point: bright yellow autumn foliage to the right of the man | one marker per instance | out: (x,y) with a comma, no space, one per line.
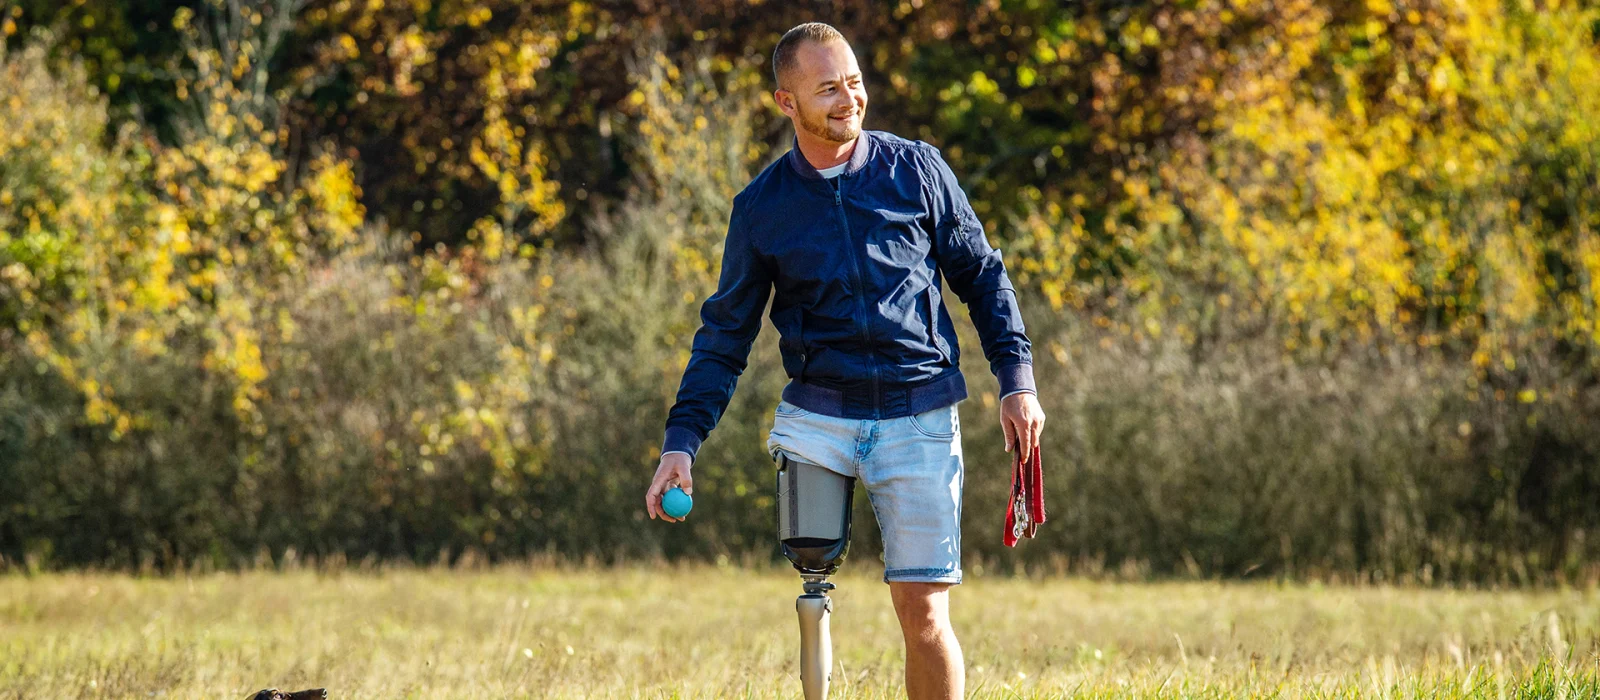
(1426,212)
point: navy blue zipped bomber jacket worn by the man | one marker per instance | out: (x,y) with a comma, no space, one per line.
(855,261)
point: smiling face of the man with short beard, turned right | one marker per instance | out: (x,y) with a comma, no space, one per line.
(825,95)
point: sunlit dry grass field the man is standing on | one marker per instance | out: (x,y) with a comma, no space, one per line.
(730,632)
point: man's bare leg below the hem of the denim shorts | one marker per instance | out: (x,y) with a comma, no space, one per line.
(934,659)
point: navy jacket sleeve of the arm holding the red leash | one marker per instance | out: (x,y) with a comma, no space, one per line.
(977,274)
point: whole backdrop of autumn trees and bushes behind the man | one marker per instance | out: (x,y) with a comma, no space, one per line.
(1314,287)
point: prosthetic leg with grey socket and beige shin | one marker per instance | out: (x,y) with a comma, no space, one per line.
(814,528)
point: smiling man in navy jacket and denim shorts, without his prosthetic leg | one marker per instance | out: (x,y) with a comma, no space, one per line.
(852,229)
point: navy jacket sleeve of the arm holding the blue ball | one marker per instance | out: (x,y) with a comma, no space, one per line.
(730,319)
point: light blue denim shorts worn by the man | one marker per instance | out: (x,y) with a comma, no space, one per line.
(913,472)
